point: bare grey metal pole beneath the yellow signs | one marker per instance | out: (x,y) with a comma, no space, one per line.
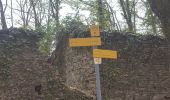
(98,87)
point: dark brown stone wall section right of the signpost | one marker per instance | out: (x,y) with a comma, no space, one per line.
(143,71)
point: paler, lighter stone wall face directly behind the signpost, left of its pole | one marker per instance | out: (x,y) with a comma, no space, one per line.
(80,70)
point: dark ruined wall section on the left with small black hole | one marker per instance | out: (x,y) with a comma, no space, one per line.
(23,67)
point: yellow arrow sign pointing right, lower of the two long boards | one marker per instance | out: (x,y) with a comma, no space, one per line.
(100,53)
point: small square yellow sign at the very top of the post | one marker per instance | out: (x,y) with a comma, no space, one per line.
(94,30)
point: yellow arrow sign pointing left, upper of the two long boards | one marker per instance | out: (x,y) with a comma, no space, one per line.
(76,42)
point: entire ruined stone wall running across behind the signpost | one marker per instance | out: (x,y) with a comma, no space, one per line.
(141,72)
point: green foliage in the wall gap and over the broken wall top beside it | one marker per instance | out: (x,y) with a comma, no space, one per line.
(51,34)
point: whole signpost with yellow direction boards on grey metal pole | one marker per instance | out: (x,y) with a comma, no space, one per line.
(98,54)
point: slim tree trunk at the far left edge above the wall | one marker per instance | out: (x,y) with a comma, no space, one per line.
(3,20)
